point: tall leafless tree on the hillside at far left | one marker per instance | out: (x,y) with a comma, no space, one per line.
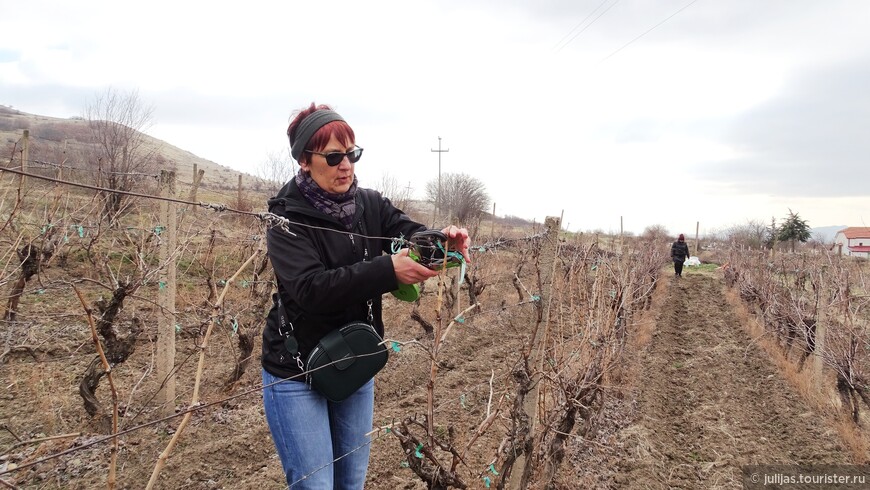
(116,121)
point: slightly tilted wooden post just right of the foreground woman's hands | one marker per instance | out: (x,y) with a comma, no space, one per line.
(522,471)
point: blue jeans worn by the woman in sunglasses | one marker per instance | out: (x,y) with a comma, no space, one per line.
(322,444)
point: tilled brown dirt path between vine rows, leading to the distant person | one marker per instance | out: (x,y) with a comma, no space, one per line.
(710,401)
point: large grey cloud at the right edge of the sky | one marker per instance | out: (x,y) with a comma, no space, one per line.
(811,141)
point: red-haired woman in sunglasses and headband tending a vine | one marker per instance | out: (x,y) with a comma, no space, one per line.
(330,271)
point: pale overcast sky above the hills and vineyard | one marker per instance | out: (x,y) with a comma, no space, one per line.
(665,112)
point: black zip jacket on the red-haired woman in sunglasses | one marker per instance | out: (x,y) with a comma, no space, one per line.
(323,278)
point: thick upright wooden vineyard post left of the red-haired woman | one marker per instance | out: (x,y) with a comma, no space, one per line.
(166,296)
